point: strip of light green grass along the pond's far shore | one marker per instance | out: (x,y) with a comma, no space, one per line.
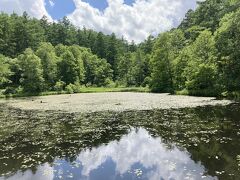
(82,90)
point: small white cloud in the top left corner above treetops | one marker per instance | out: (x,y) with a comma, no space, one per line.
(35,8)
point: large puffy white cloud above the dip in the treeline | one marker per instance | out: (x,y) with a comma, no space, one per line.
(134,22)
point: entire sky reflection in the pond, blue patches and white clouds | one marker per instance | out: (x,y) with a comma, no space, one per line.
(136,155)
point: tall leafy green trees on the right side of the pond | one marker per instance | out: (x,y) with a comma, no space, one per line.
(201,57)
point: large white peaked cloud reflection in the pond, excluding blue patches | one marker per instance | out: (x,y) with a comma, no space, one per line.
(140,154)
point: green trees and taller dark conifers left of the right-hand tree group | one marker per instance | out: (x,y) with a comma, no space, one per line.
(41,56)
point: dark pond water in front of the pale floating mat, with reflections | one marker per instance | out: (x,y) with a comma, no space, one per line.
(193,143)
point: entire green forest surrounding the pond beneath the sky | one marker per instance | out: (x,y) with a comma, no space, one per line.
(199,57)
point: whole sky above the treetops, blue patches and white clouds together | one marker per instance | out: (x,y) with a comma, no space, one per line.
(133,22)
